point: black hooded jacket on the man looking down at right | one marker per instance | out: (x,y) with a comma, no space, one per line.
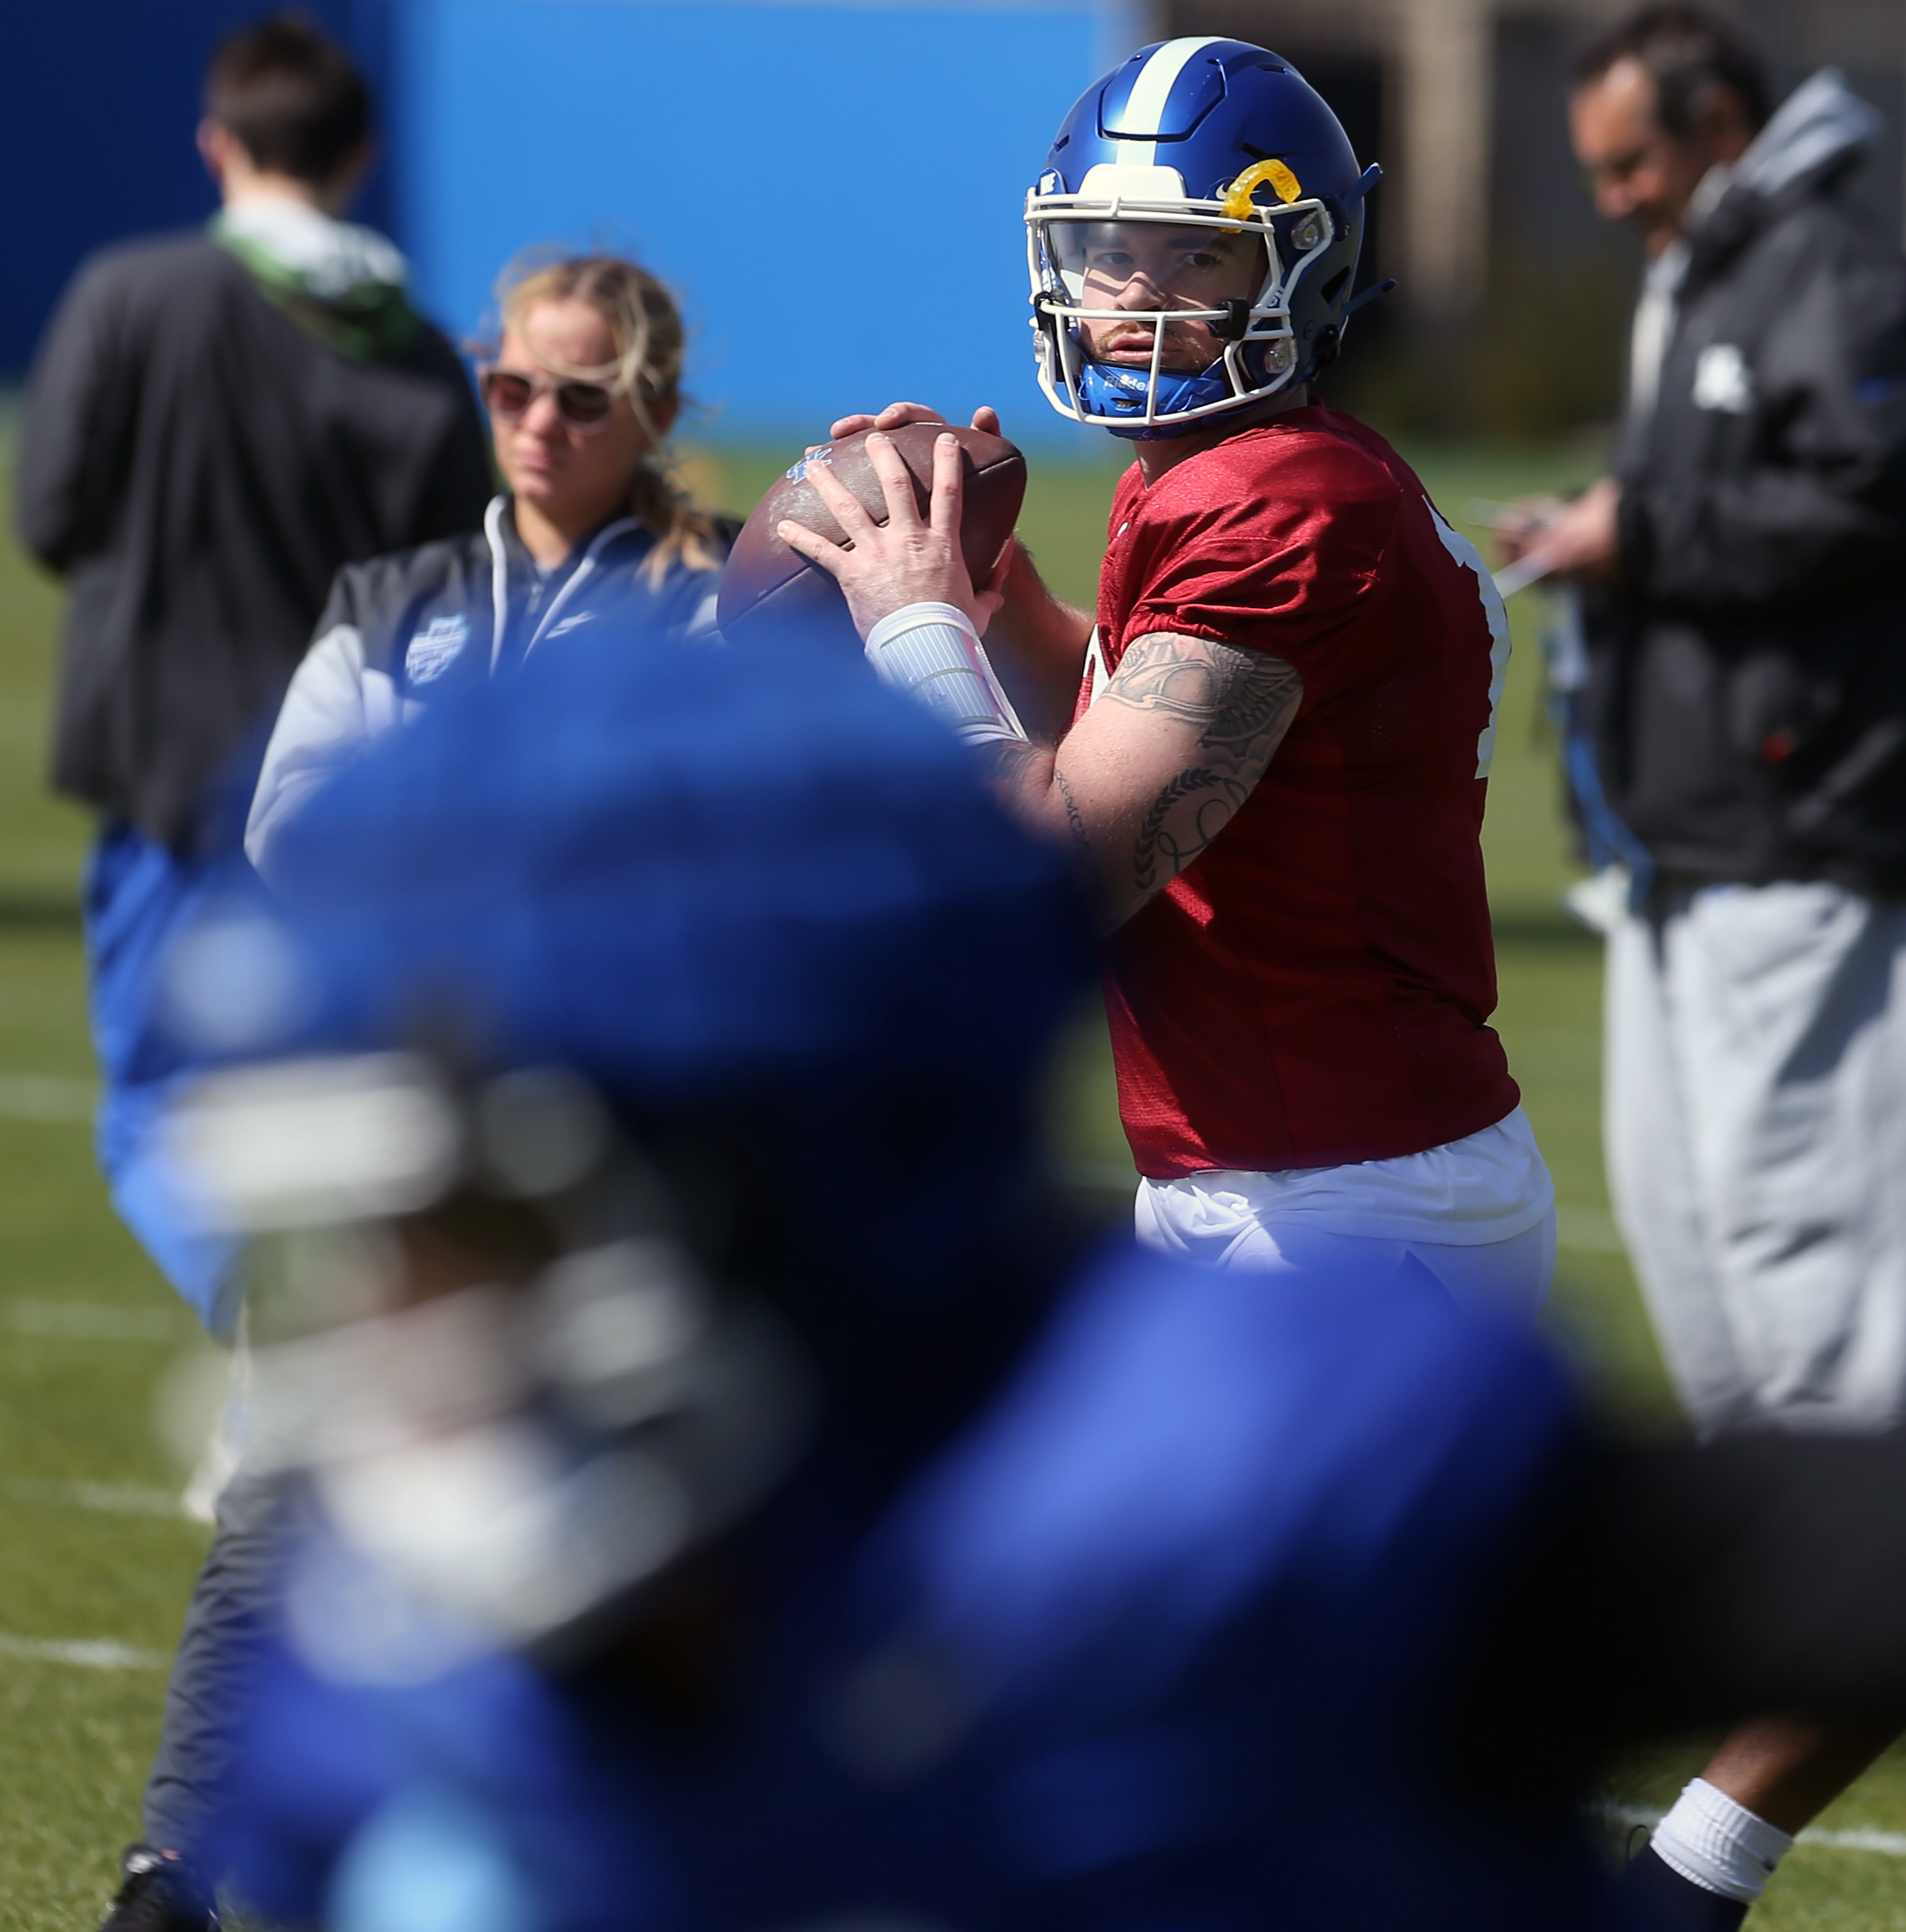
(1748,673)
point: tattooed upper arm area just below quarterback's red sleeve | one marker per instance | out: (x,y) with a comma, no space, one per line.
(1242,704)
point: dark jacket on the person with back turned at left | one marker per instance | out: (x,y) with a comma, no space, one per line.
(198,465)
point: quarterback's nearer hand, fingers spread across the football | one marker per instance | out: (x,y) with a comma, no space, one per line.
(906,561)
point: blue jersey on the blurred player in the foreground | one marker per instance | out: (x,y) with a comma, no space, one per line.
(1155,1643)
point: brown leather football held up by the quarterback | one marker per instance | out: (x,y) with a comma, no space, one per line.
(768,586)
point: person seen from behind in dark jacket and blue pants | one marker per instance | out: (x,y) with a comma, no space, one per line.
(216,424)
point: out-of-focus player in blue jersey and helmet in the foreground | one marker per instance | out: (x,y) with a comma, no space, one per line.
(708,1510)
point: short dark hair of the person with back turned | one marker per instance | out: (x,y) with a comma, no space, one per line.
(291,98)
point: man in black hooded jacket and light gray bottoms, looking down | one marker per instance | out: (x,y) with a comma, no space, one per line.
(1741,743)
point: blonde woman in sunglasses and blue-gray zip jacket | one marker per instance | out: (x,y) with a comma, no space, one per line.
(583,391)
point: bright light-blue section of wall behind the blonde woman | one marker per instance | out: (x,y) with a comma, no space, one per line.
(834,190)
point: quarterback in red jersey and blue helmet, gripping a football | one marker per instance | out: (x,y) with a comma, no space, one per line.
(1271,754)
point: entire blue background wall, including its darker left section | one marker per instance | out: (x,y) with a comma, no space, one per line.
(832,185)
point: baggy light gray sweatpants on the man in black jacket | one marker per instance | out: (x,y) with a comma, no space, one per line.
(1756,1141)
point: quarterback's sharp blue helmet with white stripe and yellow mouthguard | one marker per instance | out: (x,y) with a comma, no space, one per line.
(1205,183)
